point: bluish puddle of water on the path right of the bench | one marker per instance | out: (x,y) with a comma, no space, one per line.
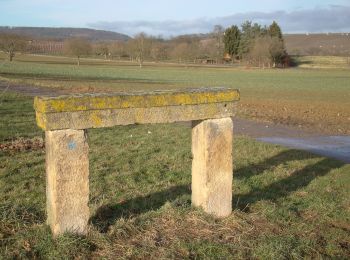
(337,147)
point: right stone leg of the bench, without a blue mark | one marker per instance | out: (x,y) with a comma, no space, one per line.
(212,165)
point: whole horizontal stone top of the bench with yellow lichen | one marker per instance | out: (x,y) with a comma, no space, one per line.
(94,111)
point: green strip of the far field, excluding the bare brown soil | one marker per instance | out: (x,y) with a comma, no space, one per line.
(308,85)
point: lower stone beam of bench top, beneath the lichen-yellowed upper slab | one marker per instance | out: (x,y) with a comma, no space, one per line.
(112,117)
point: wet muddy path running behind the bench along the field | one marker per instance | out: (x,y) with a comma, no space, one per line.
(337,147)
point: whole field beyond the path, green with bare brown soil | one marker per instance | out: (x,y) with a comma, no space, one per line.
(312,98)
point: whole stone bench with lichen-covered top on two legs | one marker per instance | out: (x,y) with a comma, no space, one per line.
(66,118)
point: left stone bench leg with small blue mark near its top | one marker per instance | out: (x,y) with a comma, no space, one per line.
(67,189)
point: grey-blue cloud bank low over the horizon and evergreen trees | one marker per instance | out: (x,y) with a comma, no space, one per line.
(334,18)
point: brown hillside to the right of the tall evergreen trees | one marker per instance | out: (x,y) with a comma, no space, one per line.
(318,44)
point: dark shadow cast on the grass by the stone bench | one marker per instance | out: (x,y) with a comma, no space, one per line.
(108,214)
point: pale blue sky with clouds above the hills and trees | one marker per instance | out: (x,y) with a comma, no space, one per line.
(174,17)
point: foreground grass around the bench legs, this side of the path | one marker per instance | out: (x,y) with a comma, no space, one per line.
(287,203)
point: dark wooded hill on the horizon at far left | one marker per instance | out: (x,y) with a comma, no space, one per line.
(60,34)
